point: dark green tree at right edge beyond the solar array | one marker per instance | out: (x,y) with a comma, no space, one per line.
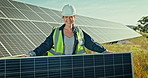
(142,25)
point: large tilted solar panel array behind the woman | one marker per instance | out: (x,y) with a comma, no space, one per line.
(23,27)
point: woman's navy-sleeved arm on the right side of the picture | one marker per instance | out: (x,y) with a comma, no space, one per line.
(91,45)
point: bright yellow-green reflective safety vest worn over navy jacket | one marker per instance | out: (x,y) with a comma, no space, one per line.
(58,44)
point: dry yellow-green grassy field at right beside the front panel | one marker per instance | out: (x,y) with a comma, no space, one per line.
(139,49)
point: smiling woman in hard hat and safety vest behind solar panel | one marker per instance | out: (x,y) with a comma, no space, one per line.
(67,39)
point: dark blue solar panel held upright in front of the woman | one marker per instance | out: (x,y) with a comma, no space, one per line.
(114,65)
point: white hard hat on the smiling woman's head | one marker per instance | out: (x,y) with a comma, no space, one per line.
(68,10)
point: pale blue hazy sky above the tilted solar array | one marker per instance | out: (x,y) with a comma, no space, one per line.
(126,12)
